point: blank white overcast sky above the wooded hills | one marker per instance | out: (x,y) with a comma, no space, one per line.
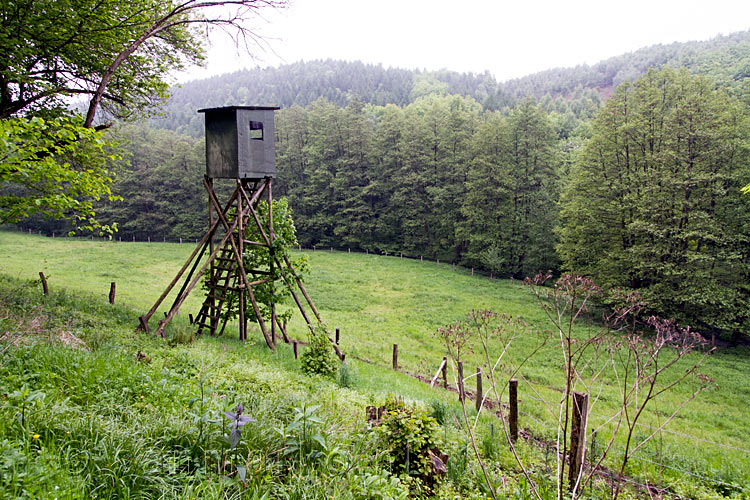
(509,39)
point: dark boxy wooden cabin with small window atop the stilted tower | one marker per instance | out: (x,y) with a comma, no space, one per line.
(240,142)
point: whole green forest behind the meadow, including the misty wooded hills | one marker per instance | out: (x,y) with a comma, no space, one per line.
(627,174)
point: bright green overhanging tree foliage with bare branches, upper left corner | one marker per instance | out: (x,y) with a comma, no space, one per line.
(115,56)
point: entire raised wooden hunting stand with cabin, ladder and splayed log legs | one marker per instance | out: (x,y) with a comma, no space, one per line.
(240,145)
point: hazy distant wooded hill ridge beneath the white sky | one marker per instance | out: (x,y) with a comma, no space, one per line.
(726,59)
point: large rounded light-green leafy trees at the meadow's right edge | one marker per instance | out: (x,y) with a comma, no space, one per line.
(653,203)
